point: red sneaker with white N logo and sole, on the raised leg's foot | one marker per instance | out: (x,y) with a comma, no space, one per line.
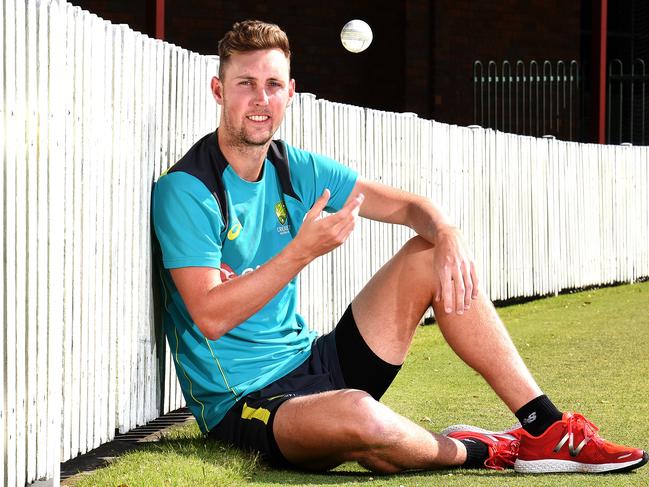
(573,445)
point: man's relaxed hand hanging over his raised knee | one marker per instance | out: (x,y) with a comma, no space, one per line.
(455,271)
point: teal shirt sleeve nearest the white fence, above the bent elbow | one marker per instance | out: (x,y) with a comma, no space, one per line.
(187,222)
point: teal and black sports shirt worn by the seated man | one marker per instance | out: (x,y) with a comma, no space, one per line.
(261,220)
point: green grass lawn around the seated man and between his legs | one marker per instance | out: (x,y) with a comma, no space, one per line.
(588,350)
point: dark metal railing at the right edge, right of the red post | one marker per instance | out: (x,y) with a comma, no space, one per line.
(626,114)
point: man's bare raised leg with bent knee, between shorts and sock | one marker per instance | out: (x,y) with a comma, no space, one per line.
(389,308)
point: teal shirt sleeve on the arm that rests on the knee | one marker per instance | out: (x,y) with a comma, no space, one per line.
(313,173)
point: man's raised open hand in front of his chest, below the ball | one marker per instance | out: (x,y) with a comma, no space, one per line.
(319,235)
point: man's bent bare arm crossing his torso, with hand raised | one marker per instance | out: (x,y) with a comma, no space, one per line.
(216,307)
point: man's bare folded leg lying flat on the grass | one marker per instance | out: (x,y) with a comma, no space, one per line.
(321,431)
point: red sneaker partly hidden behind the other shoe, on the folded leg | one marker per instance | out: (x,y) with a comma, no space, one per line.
(502,445)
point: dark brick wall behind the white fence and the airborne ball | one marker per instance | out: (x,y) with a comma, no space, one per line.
(421,59)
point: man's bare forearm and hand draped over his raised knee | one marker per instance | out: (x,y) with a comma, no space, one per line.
(454,268)
